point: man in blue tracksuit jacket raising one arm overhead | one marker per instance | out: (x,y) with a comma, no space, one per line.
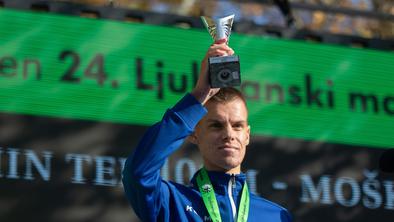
(216,121)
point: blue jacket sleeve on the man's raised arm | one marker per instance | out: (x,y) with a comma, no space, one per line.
(143,185)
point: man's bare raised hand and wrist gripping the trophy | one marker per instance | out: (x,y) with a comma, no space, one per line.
(203,91)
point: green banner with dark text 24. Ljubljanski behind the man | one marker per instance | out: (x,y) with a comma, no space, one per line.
(69,67)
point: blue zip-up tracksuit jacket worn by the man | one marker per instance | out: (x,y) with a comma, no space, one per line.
(155,199)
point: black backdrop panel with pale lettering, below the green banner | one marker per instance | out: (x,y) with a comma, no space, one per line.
(274,159)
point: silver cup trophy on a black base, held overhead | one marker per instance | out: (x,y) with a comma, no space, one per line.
(223,70)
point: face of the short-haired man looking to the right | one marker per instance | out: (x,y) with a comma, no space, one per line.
(222,136)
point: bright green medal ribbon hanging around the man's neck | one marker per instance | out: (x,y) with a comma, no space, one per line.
(209,198)
